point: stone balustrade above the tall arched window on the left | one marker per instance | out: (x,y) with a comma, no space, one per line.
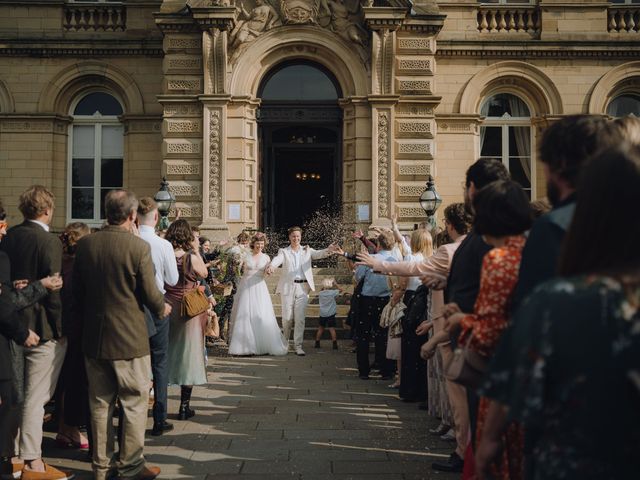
(78,16)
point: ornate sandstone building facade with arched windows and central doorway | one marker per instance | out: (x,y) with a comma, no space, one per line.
(257,111)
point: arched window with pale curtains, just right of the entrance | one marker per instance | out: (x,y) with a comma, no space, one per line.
(506,136)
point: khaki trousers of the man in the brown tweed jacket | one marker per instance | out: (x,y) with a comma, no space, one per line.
(127,380)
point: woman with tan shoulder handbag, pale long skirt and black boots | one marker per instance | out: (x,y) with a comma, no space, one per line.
(187,366)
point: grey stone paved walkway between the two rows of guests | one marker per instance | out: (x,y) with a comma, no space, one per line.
(290,418)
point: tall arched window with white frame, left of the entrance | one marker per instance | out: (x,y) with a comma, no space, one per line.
(96,147)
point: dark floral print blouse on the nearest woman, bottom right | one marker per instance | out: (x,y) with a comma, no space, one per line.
(575,378)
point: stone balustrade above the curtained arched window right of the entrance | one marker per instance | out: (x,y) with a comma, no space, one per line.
(508,18)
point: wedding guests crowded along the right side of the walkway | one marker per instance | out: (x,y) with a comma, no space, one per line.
(524,383)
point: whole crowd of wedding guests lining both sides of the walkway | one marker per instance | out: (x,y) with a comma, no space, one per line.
(519,332)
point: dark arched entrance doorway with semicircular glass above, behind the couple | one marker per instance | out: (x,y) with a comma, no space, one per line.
(300,127)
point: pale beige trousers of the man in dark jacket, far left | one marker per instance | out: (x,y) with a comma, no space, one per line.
(42,365)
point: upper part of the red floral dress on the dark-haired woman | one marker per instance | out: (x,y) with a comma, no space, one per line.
(498,279)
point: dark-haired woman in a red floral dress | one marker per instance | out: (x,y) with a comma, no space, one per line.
(502,215)
